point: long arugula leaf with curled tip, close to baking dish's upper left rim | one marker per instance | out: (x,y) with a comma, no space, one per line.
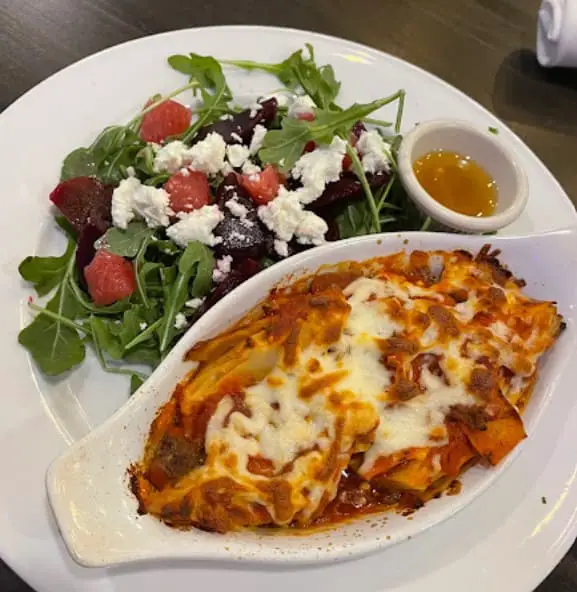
(195,257)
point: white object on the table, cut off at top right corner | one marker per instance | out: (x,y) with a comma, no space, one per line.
(557,33)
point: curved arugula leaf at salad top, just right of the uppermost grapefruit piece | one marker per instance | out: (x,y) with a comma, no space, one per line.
(214,90)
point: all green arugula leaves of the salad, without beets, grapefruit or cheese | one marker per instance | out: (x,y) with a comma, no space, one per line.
(133,335)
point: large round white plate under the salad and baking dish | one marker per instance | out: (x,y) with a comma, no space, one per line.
(507,537)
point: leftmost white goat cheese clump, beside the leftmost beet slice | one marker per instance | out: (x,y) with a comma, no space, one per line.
(131,198)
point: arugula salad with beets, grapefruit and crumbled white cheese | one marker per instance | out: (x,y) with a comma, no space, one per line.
(170,212)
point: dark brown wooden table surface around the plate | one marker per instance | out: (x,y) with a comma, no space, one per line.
(483,47)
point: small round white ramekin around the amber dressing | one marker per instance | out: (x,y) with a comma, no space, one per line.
(486,150)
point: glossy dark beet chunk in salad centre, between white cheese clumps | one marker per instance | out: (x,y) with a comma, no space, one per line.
(241,238)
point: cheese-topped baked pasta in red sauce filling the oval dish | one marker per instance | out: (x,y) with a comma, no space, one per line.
(364,387)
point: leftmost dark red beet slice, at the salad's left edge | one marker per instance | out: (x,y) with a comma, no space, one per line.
(83,201)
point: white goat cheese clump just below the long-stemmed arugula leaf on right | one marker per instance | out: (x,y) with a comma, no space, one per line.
(319,167)
